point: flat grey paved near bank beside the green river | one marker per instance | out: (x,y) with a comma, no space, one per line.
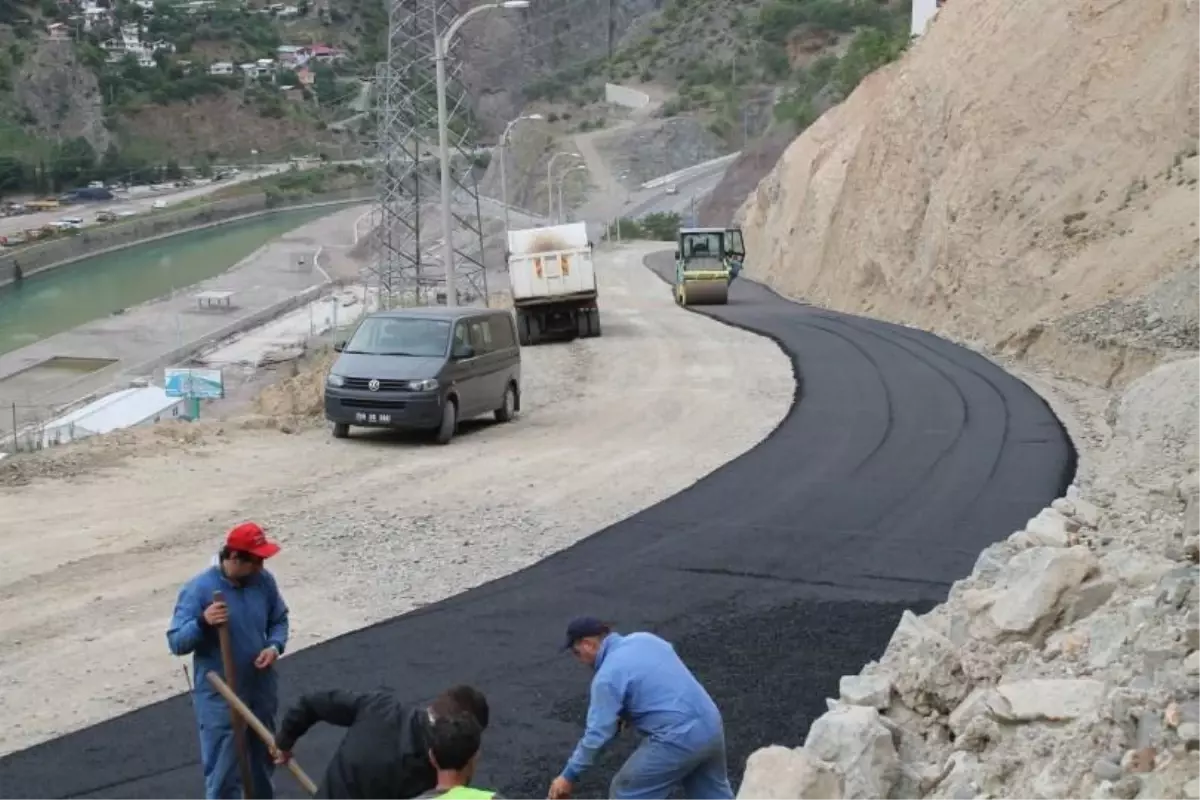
(38,383)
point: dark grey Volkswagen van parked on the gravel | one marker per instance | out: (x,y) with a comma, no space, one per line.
(425,369)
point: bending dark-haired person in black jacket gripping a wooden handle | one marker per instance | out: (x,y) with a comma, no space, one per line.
(385,755)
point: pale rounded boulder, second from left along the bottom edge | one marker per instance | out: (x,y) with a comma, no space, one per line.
(860,745)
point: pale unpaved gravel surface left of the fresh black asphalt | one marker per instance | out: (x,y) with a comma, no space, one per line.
(376,526)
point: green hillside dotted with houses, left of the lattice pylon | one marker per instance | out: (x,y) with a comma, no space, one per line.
(115,89)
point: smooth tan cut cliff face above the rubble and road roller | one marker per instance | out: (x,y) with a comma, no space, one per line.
(1024,178)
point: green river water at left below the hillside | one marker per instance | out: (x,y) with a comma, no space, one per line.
(69,297)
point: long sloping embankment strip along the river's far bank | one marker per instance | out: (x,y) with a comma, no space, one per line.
(107,239)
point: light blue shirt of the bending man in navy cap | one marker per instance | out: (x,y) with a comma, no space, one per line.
(641,677)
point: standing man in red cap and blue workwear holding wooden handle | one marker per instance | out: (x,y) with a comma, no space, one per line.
(257,618)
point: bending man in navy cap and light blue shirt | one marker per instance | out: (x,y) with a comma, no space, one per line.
(640,677)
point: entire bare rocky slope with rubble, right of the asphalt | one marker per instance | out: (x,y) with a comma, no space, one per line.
(1048,224)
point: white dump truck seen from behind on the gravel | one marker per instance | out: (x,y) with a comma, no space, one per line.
(554,282)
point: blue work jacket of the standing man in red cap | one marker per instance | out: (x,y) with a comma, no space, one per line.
(259,619)
